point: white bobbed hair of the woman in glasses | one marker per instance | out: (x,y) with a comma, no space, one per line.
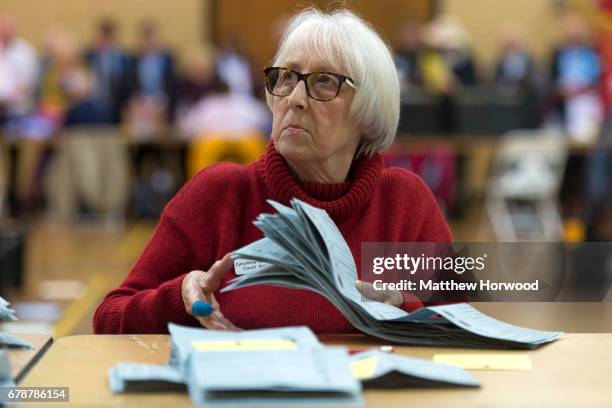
(351,45)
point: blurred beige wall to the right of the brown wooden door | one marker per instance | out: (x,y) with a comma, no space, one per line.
(482,19)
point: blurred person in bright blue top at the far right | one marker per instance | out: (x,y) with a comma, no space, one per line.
(576,75)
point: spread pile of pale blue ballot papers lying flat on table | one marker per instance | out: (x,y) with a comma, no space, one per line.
(283,366)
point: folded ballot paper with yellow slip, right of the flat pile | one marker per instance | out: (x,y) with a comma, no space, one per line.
(376,369)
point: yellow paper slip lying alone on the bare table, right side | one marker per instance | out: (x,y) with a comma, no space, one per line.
(486,361)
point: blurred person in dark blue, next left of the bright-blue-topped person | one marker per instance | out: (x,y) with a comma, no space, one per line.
(514,69)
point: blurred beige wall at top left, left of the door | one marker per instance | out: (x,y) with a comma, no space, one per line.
(183,22)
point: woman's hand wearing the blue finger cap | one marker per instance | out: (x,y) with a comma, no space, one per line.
(200,285)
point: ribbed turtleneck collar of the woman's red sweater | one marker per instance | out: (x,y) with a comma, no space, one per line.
(339,200)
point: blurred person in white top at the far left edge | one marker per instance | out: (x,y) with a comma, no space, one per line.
(18,72)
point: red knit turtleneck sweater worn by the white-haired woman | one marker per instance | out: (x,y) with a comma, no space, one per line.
(213,215)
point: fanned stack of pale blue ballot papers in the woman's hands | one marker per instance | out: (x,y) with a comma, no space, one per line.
(303,249)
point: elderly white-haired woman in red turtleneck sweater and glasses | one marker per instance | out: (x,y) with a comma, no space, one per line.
(334,95)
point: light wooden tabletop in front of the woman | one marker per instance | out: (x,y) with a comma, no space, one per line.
(573,371)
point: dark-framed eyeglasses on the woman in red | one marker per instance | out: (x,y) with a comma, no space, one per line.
(320,86)
